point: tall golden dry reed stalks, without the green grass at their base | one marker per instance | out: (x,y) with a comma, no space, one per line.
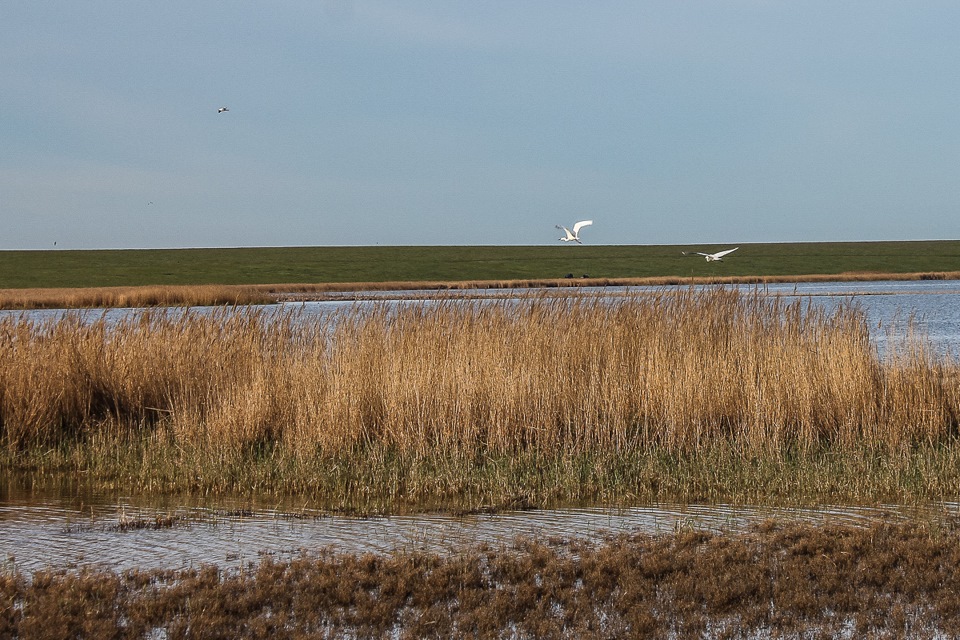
(675,370)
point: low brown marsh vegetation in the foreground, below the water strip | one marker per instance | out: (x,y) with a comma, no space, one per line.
(795,581)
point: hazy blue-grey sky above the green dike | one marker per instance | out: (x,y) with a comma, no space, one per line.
(419,122)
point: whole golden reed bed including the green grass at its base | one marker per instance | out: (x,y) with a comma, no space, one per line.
(683,395)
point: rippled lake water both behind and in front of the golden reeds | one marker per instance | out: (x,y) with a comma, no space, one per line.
(67,529)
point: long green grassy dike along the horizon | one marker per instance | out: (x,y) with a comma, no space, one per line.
(288,265)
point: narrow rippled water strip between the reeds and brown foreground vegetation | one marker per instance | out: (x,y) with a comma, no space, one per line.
(47,530)
